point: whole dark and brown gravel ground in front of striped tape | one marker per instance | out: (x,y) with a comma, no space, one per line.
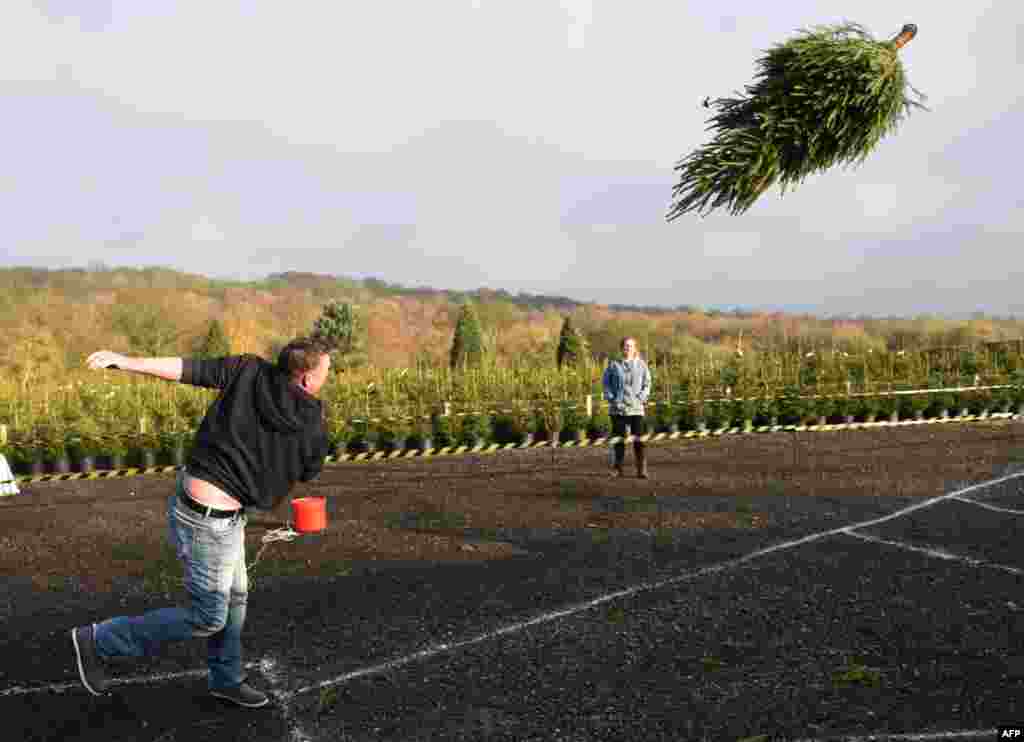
(528,596)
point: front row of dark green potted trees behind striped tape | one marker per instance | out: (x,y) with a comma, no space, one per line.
(83,449)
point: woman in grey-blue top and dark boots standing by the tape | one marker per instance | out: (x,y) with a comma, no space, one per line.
(627,386)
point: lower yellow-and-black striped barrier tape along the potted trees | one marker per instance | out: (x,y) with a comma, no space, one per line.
(380,456)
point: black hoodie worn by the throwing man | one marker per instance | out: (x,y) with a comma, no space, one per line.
(263,434)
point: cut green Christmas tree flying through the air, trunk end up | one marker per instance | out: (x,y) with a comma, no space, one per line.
(826,98)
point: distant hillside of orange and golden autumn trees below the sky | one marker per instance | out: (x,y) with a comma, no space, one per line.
(52,319)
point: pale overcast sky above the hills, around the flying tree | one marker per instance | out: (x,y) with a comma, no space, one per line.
(518,145)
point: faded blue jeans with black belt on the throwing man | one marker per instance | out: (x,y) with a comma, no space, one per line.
(212,552)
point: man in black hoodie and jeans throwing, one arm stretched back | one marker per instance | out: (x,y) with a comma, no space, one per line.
(264,433)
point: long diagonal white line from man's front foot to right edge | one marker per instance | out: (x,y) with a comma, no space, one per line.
(580,607)
